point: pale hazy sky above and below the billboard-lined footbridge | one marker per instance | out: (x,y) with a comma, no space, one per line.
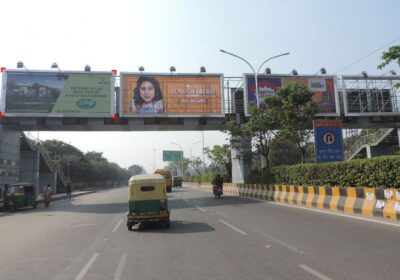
(188,34)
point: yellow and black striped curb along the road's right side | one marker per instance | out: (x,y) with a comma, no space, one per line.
(384,203)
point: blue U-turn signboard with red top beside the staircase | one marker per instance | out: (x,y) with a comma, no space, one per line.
(328,141)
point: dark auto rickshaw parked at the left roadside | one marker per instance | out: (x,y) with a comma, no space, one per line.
(19,195)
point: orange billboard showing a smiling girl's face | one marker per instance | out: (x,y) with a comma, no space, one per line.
(169,95)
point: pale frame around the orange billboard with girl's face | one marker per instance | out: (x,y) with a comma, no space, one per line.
(172,115)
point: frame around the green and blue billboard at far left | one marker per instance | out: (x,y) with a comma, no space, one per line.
(57,115)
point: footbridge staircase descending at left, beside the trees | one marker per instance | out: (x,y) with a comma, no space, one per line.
(52,165)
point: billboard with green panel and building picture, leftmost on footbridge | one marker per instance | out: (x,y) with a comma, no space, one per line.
(35,93)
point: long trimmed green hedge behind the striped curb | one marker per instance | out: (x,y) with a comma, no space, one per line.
(380,172)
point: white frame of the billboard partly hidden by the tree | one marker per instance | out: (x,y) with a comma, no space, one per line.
(308,76)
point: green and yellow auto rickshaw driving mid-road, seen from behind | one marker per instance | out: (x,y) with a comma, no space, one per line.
(147,200)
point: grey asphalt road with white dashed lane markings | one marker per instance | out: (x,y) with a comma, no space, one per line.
(229,238)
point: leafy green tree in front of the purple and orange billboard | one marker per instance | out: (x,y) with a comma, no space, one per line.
(292,106)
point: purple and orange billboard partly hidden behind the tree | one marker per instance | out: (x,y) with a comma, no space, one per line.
(323,89)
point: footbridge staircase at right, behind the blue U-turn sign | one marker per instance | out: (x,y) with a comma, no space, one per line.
(365,141)
